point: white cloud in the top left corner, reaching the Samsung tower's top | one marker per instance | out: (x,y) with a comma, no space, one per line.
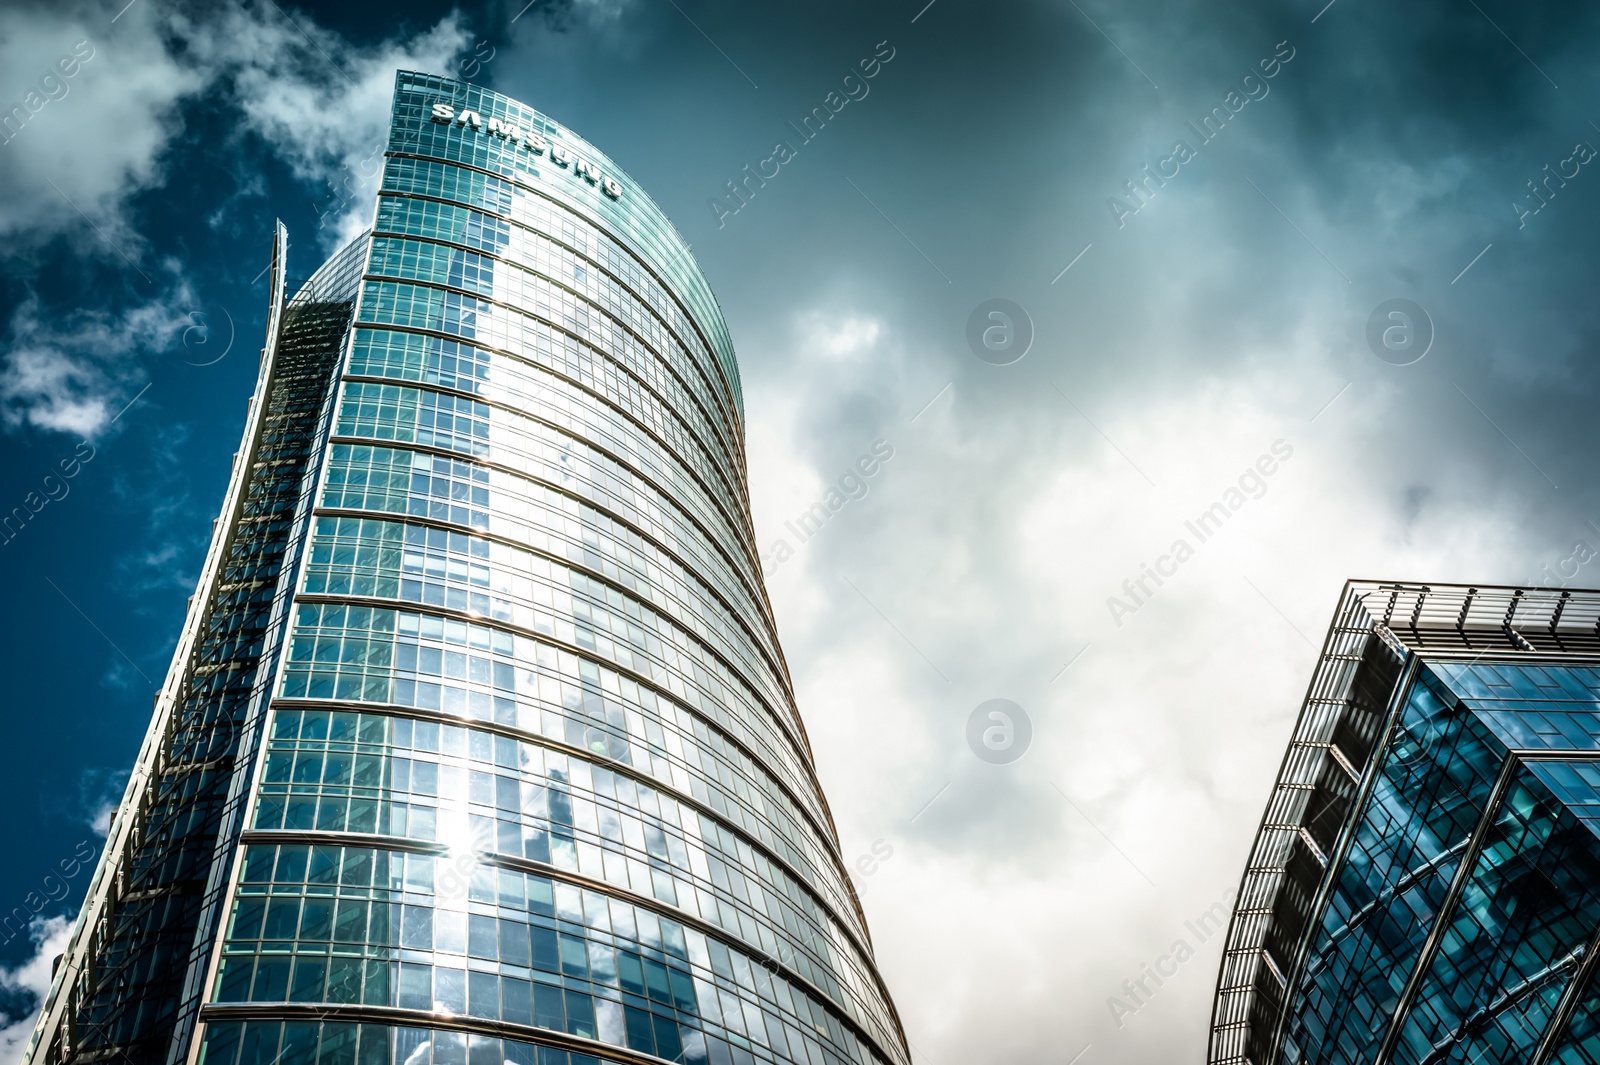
(318,100)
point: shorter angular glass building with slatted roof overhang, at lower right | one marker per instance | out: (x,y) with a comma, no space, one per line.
(1426,882)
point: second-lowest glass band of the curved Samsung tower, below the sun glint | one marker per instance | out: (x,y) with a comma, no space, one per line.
(418,931)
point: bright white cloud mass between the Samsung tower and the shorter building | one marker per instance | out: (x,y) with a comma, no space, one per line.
(991,544)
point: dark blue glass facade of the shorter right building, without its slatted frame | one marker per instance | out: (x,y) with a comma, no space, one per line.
(1465,906)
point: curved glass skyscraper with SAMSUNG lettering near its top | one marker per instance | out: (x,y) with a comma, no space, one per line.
(479,746)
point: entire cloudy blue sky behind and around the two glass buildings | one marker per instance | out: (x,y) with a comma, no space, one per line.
(1196,314)
